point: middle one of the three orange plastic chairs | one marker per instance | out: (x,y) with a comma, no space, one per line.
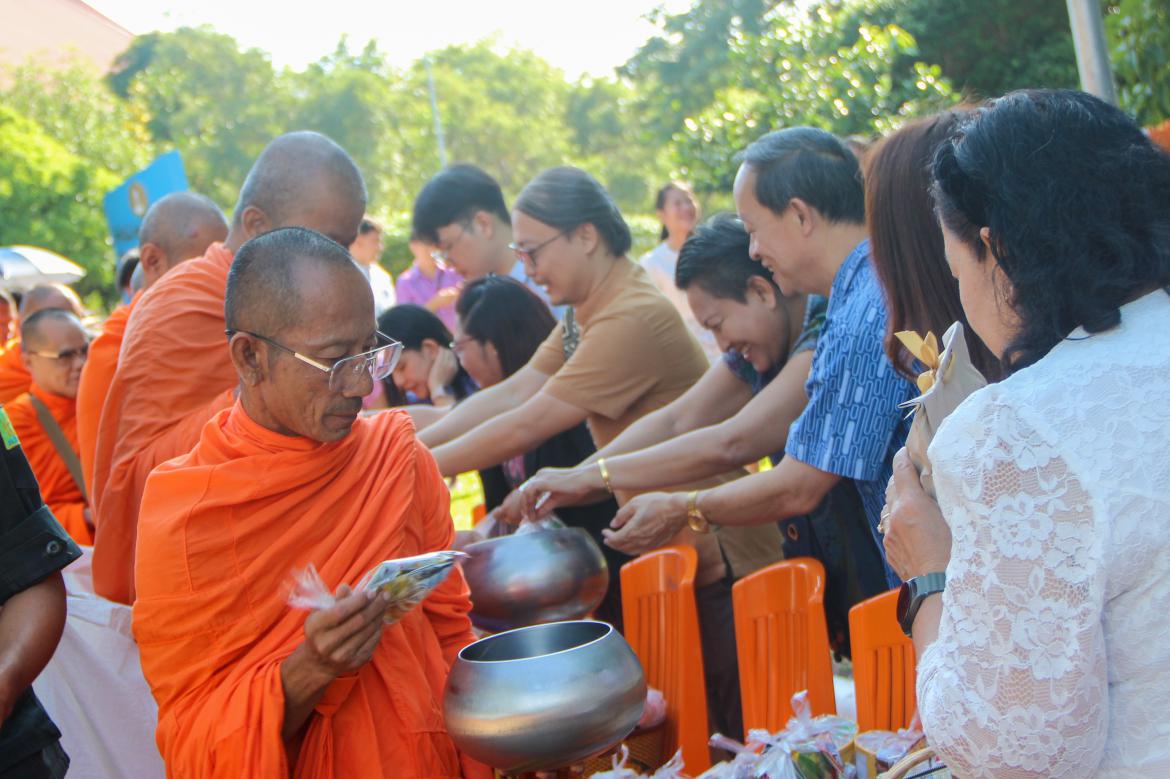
(782,643)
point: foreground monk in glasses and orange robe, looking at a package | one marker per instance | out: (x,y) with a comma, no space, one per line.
(293,475)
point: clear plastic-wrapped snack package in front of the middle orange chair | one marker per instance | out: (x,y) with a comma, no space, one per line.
(809,748)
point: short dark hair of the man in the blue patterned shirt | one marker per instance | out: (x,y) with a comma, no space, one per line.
(810,164)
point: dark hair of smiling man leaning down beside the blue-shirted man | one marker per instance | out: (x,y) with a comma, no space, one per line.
(717,259)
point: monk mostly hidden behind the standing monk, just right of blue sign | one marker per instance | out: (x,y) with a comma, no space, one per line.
(178,228)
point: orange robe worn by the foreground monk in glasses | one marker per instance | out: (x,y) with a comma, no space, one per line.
(222,530)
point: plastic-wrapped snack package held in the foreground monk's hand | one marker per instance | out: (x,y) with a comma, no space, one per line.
(408,581)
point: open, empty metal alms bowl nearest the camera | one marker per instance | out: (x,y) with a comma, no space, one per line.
(546,697)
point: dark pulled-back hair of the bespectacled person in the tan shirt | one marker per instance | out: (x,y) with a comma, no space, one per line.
(568,197)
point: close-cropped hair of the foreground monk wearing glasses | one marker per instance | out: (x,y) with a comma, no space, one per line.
(264,289)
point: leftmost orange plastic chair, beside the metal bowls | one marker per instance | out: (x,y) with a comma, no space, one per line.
(658,605)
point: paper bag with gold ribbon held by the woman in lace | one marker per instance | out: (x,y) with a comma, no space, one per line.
(949,380)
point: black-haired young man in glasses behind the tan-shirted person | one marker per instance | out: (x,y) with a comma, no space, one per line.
(463,213)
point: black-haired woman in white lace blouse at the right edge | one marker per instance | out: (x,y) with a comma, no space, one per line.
(1048,654)
